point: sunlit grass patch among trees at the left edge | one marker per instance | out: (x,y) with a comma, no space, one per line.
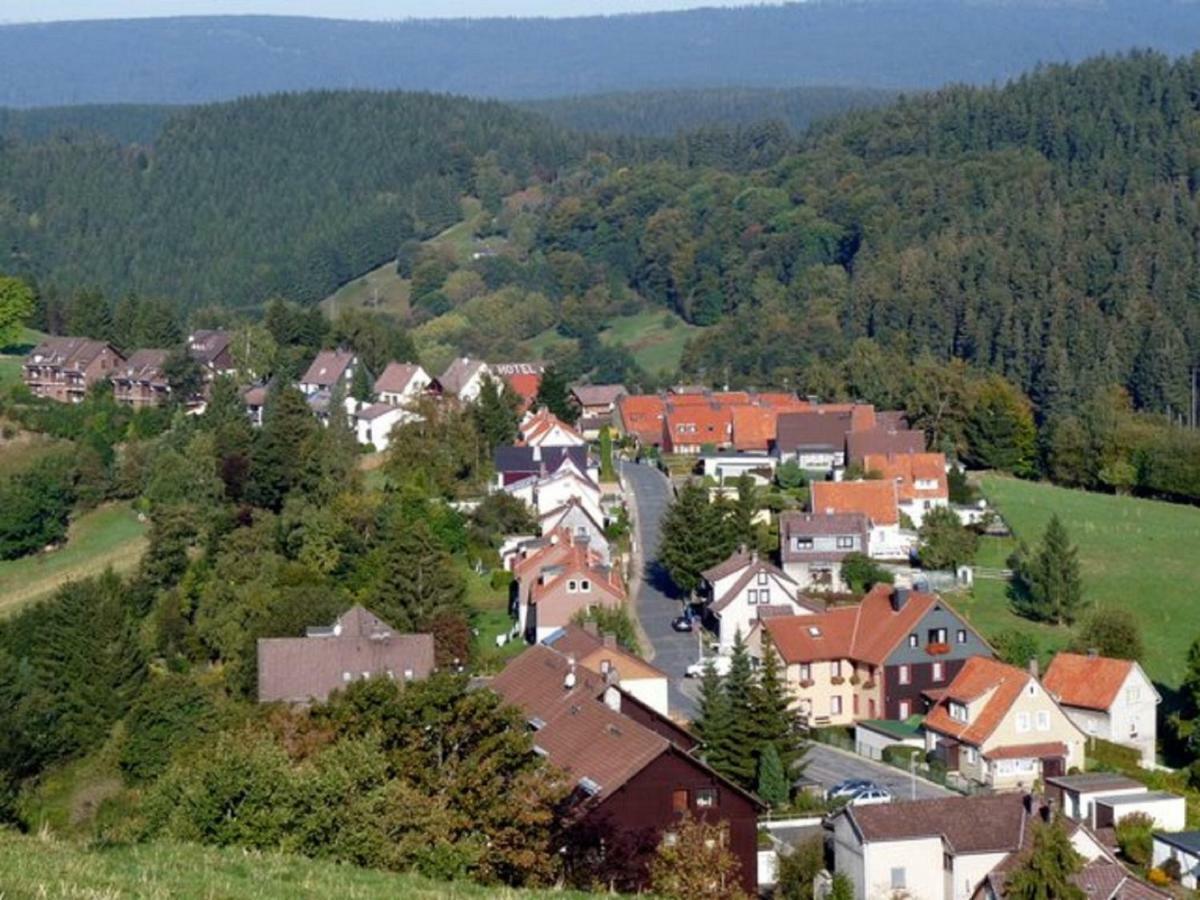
(106,537)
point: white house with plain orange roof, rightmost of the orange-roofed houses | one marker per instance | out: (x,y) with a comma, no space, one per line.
(1109,699)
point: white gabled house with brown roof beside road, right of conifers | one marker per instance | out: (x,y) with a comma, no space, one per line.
(746,590)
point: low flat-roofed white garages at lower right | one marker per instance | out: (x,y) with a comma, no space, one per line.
(1102,800)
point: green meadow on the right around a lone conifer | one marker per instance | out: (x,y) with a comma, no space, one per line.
(1135,554)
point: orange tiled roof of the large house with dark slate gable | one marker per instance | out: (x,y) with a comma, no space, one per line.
(868,632)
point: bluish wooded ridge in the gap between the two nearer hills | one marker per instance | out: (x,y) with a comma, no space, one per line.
(669,112)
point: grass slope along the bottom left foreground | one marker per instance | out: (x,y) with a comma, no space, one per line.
(40,868)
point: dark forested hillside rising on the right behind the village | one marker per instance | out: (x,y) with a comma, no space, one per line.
(1047,231)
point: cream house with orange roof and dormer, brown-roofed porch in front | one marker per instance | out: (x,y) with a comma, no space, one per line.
(998,727)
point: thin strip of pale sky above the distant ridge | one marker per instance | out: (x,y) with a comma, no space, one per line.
(51,10)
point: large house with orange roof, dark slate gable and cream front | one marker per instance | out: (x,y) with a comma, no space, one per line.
(877,659)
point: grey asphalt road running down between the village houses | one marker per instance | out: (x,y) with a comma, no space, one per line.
(655,601)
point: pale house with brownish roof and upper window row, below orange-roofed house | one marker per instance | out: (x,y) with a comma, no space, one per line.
(813,547)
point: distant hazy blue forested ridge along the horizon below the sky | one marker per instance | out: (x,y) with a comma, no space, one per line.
(890,44)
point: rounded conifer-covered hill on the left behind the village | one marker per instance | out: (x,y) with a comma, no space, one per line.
(285,195)
